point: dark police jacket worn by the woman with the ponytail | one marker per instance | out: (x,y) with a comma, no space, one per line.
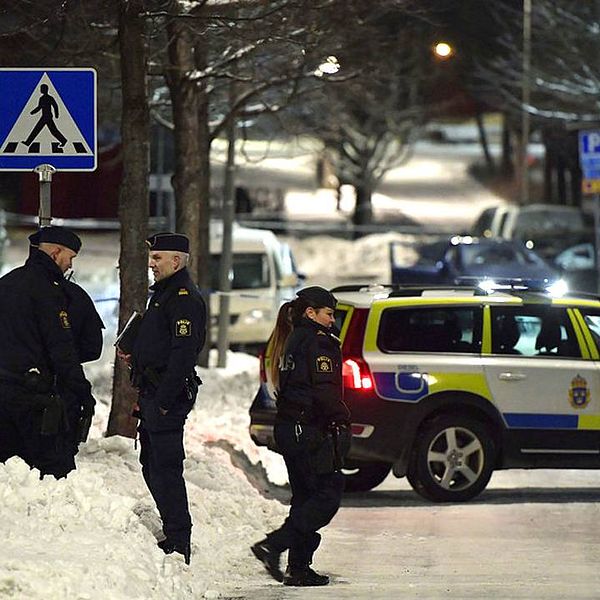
(310,377)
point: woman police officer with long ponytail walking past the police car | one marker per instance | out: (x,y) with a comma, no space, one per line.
(311,431)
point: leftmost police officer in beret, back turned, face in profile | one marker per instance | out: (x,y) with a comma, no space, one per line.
(38,352)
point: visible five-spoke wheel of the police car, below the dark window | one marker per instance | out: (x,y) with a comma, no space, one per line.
(452,460)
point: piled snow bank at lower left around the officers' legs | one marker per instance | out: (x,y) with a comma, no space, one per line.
(93,535)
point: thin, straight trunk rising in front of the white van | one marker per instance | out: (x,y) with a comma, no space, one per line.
(204,141)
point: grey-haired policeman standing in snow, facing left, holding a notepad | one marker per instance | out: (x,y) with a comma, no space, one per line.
(170,337)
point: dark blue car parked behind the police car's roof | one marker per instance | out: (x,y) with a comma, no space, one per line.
(451,260)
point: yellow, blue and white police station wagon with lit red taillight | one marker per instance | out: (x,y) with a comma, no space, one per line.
(447,384)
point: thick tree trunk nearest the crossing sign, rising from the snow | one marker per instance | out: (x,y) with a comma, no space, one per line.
(133,198)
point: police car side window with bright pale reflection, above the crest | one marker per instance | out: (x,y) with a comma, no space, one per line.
(533,331)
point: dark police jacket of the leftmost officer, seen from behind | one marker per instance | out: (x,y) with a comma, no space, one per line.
(35,328)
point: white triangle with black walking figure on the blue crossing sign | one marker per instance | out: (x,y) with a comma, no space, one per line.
(45,126)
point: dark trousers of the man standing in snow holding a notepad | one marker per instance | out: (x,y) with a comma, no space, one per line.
(161,456)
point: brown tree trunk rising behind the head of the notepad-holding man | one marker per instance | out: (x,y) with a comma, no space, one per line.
(184,100)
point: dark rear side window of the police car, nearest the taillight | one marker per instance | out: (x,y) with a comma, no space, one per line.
(430,329)
